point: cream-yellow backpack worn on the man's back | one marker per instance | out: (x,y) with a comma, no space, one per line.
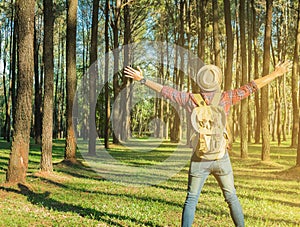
(209,140)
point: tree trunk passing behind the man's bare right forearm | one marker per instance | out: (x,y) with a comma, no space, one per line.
(265,156)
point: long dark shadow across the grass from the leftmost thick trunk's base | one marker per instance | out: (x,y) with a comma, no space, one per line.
(52,204)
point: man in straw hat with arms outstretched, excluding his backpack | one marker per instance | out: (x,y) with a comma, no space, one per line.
(209,79)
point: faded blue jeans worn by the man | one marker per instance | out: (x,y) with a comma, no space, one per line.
(221,169)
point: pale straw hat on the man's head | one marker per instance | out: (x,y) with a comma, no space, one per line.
(209,78)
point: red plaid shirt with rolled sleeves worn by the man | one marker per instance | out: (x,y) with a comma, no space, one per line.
(228,98)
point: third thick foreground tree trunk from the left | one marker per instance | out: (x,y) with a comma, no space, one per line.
(70,149)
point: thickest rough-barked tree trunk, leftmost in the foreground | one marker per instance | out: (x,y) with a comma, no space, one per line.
(18,162)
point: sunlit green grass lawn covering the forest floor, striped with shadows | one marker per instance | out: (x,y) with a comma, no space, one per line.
(78,196)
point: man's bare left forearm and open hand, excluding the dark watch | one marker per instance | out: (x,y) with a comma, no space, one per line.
(137,75)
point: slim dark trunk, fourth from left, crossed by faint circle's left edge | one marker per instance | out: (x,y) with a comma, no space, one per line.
(93,74)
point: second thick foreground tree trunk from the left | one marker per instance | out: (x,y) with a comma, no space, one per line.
(47,125)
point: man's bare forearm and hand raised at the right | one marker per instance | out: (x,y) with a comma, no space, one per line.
(280,69)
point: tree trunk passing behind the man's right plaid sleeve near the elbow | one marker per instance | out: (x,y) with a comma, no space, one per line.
(244,105)
